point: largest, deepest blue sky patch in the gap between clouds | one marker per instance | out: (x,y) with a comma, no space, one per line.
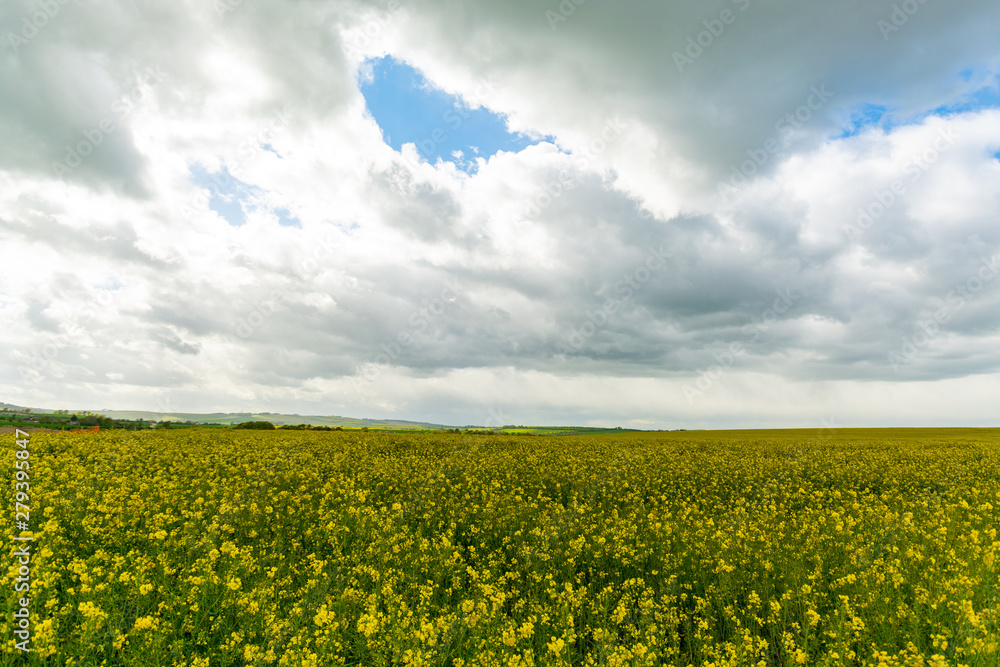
(409,109)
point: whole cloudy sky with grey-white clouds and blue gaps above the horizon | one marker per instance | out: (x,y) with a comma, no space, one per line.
(649,214)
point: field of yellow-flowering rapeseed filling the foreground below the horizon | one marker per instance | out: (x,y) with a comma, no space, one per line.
(213,547)
